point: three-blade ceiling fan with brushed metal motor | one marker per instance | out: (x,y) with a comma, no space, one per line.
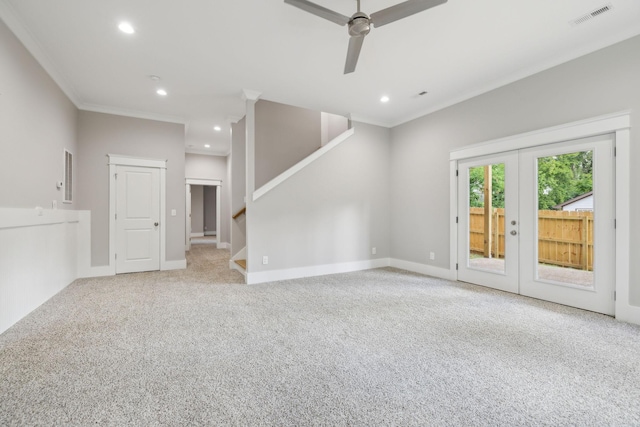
(360,23)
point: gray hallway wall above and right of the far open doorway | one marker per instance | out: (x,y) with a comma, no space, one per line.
(198,166)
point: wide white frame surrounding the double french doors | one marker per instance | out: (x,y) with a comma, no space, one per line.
(619,124)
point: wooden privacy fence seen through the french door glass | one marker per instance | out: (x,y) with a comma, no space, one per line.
(565,238)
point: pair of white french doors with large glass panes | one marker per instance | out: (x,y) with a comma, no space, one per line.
(540,222)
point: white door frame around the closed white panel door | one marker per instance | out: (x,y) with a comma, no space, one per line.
(116,160)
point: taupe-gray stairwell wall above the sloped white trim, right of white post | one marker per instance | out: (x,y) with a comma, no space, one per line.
(284,136)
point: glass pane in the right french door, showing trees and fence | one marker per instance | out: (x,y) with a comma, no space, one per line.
(565,218)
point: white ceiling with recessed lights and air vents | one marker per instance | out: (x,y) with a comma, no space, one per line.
(208,51)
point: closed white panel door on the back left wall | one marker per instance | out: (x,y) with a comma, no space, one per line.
(137,219)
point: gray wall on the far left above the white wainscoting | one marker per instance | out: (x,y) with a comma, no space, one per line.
(37,122)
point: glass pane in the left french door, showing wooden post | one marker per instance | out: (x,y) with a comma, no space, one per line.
(486,217)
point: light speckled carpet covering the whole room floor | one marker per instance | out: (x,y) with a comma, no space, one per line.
(379,347)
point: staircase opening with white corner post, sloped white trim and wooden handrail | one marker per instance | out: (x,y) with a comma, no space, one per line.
(250,153)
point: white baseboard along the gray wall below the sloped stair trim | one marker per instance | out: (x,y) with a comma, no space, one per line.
(316,270)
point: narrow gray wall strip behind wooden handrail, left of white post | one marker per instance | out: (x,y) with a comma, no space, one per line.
(238,184)
